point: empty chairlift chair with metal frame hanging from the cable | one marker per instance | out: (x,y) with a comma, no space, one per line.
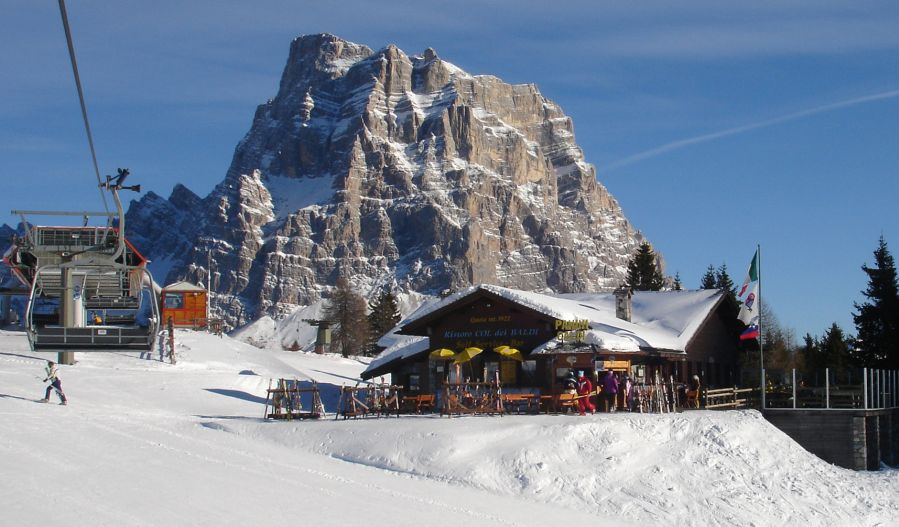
(90,288)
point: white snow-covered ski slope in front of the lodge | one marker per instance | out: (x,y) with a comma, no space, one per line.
(149,443)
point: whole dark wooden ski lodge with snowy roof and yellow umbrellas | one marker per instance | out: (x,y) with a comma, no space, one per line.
(531,341)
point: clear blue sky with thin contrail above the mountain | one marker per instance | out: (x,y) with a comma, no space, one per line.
(716,125)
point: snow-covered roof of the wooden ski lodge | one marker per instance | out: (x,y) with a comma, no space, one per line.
(662,320)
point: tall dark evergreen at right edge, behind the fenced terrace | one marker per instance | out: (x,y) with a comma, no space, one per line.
(877,320)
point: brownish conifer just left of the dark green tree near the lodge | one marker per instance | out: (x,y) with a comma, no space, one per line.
(345,311)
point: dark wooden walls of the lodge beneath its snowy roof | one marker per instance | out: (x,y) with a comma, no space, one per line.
(486,320)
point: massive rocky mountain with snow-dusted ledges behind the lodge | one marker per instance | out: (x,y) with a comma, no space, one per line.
(392,170)
